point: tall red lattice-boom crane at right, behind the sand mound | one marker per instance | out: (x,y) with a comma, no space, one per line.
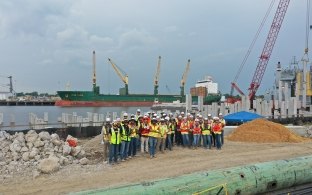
(266,52)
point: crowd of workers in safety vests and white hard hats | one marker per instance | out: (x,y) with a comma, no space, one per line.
(150,133)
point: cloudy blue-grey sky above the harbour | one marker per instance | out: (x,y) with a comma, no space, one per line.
(47,45)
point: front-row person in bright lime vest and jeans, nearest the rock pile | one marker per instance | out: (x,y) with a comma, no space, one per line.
(115,140)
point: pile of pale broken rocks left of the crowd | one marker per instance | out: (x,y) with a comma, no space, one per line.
(41,152)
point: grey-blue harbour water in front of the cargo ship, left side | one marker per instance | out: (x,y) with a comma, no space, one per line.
(20,114)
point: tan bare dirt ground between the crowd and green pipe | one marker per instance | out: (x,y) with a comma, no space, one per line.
(74,178)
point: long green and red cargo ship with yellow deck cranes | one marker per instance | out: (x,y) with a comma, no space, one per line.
(93,98)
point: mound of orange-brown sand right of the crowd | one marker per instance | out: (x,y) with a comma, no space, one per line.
(264,131)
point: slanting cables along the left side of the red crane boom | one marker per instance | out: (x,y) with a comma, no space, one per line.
(254,40)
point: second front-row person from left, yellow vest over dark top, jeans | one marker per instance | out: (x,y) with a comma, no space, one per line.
(125,140)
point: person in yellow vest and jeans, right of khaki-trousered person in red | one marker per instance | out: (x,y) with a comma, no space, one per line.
(153,135)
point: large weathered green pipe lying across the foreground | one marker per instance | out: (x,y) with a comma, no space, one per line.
(250,179)
